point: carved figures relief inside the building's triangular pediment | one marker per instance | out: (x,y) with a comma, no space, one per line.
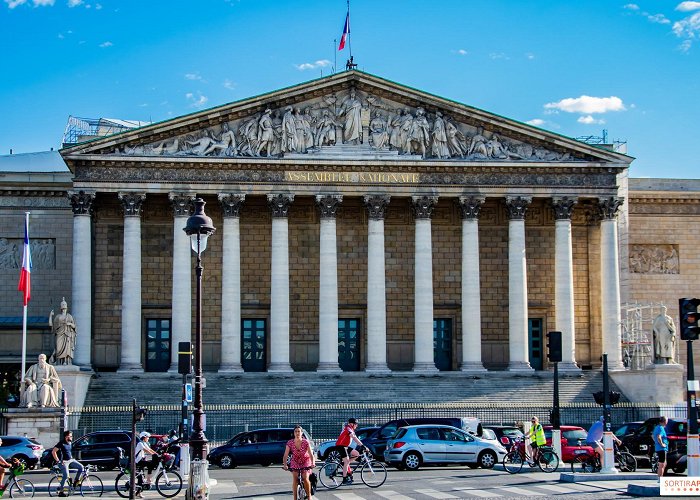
(348,123)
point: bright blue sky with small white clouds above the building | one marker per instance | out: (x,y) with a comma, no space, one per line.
(576,68)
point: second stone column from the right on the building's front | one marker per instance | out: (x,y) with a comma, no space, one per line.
(564,281)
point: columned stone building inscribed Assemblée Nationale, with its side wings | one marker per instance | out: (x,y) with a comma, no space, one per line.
(361,226)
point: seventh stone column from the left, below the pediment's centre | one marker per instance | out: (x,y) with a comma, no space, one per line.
(376,284)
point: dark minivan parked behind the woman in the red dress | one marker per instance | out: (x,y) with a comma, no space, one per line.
(261,446)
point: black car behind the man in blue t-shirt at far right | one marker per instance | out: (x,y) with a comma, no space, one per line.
(641,444)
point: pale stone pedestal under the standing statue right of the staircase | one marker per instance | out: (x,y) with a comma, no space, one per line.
(655,384)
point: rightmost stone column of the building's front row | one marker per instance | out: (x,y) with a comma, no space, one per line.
(610,281)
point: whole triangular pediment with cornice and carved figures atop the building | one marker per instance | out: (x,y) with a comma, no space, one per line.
(350,115)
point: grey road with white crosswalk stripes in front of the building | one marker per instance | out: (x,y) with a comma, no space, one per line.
(272,483)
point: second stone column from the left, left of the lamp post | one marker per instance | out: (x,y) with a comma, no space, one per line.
(131,283)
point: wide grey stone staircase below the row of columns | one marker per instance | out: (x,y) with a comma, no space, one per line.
(356,387)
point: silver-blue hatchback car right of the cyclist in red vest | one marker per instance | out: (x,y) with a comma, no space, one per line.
(417,445)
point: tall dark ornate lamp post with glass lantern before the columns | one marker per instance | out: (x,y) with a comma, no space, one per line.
(199,228)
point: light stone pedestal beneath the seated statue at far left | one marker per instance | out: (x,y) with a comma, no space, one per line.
(42,424)
